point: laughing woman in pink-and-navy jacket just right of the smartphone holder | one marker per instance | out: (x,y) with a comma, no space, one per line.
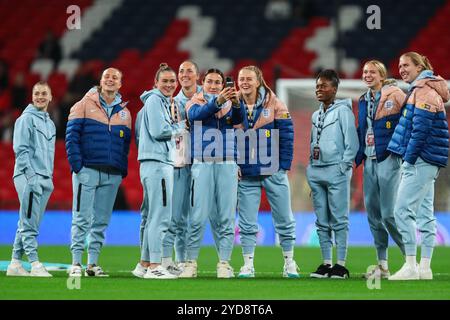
(267,119)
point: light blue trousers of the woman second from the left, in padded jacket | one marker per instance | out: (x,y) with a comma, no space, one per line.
(94,194)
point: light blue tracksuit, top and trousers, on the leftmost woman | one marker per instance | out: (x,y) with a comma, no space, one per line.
(34,149)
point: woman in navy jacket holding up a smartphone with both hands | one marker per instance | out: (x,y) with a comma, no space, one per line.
(212,114)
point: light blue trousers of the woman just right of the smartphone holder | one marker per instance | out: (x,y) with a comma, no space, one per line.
(279,196)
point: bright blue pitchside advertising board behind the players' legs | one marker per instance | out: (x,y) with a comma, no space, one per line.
(124,229)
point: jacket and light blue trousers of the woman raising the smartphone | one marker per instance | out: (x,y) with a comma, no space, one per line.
(214,180)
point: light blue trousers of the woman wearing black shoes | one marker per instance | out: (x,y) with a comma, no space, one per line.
(330,189)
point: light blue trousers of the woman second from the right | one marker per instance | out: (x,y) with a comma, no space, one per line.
(381,181)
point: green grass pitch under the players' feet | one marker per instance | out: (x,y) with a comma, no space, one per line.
(268,284)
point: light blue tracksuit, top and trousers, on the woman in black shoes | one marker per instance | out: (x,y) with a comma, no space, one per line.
(329,176)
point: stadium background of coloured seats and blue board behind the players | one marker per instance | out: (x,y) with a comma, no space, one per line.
(135,36)
